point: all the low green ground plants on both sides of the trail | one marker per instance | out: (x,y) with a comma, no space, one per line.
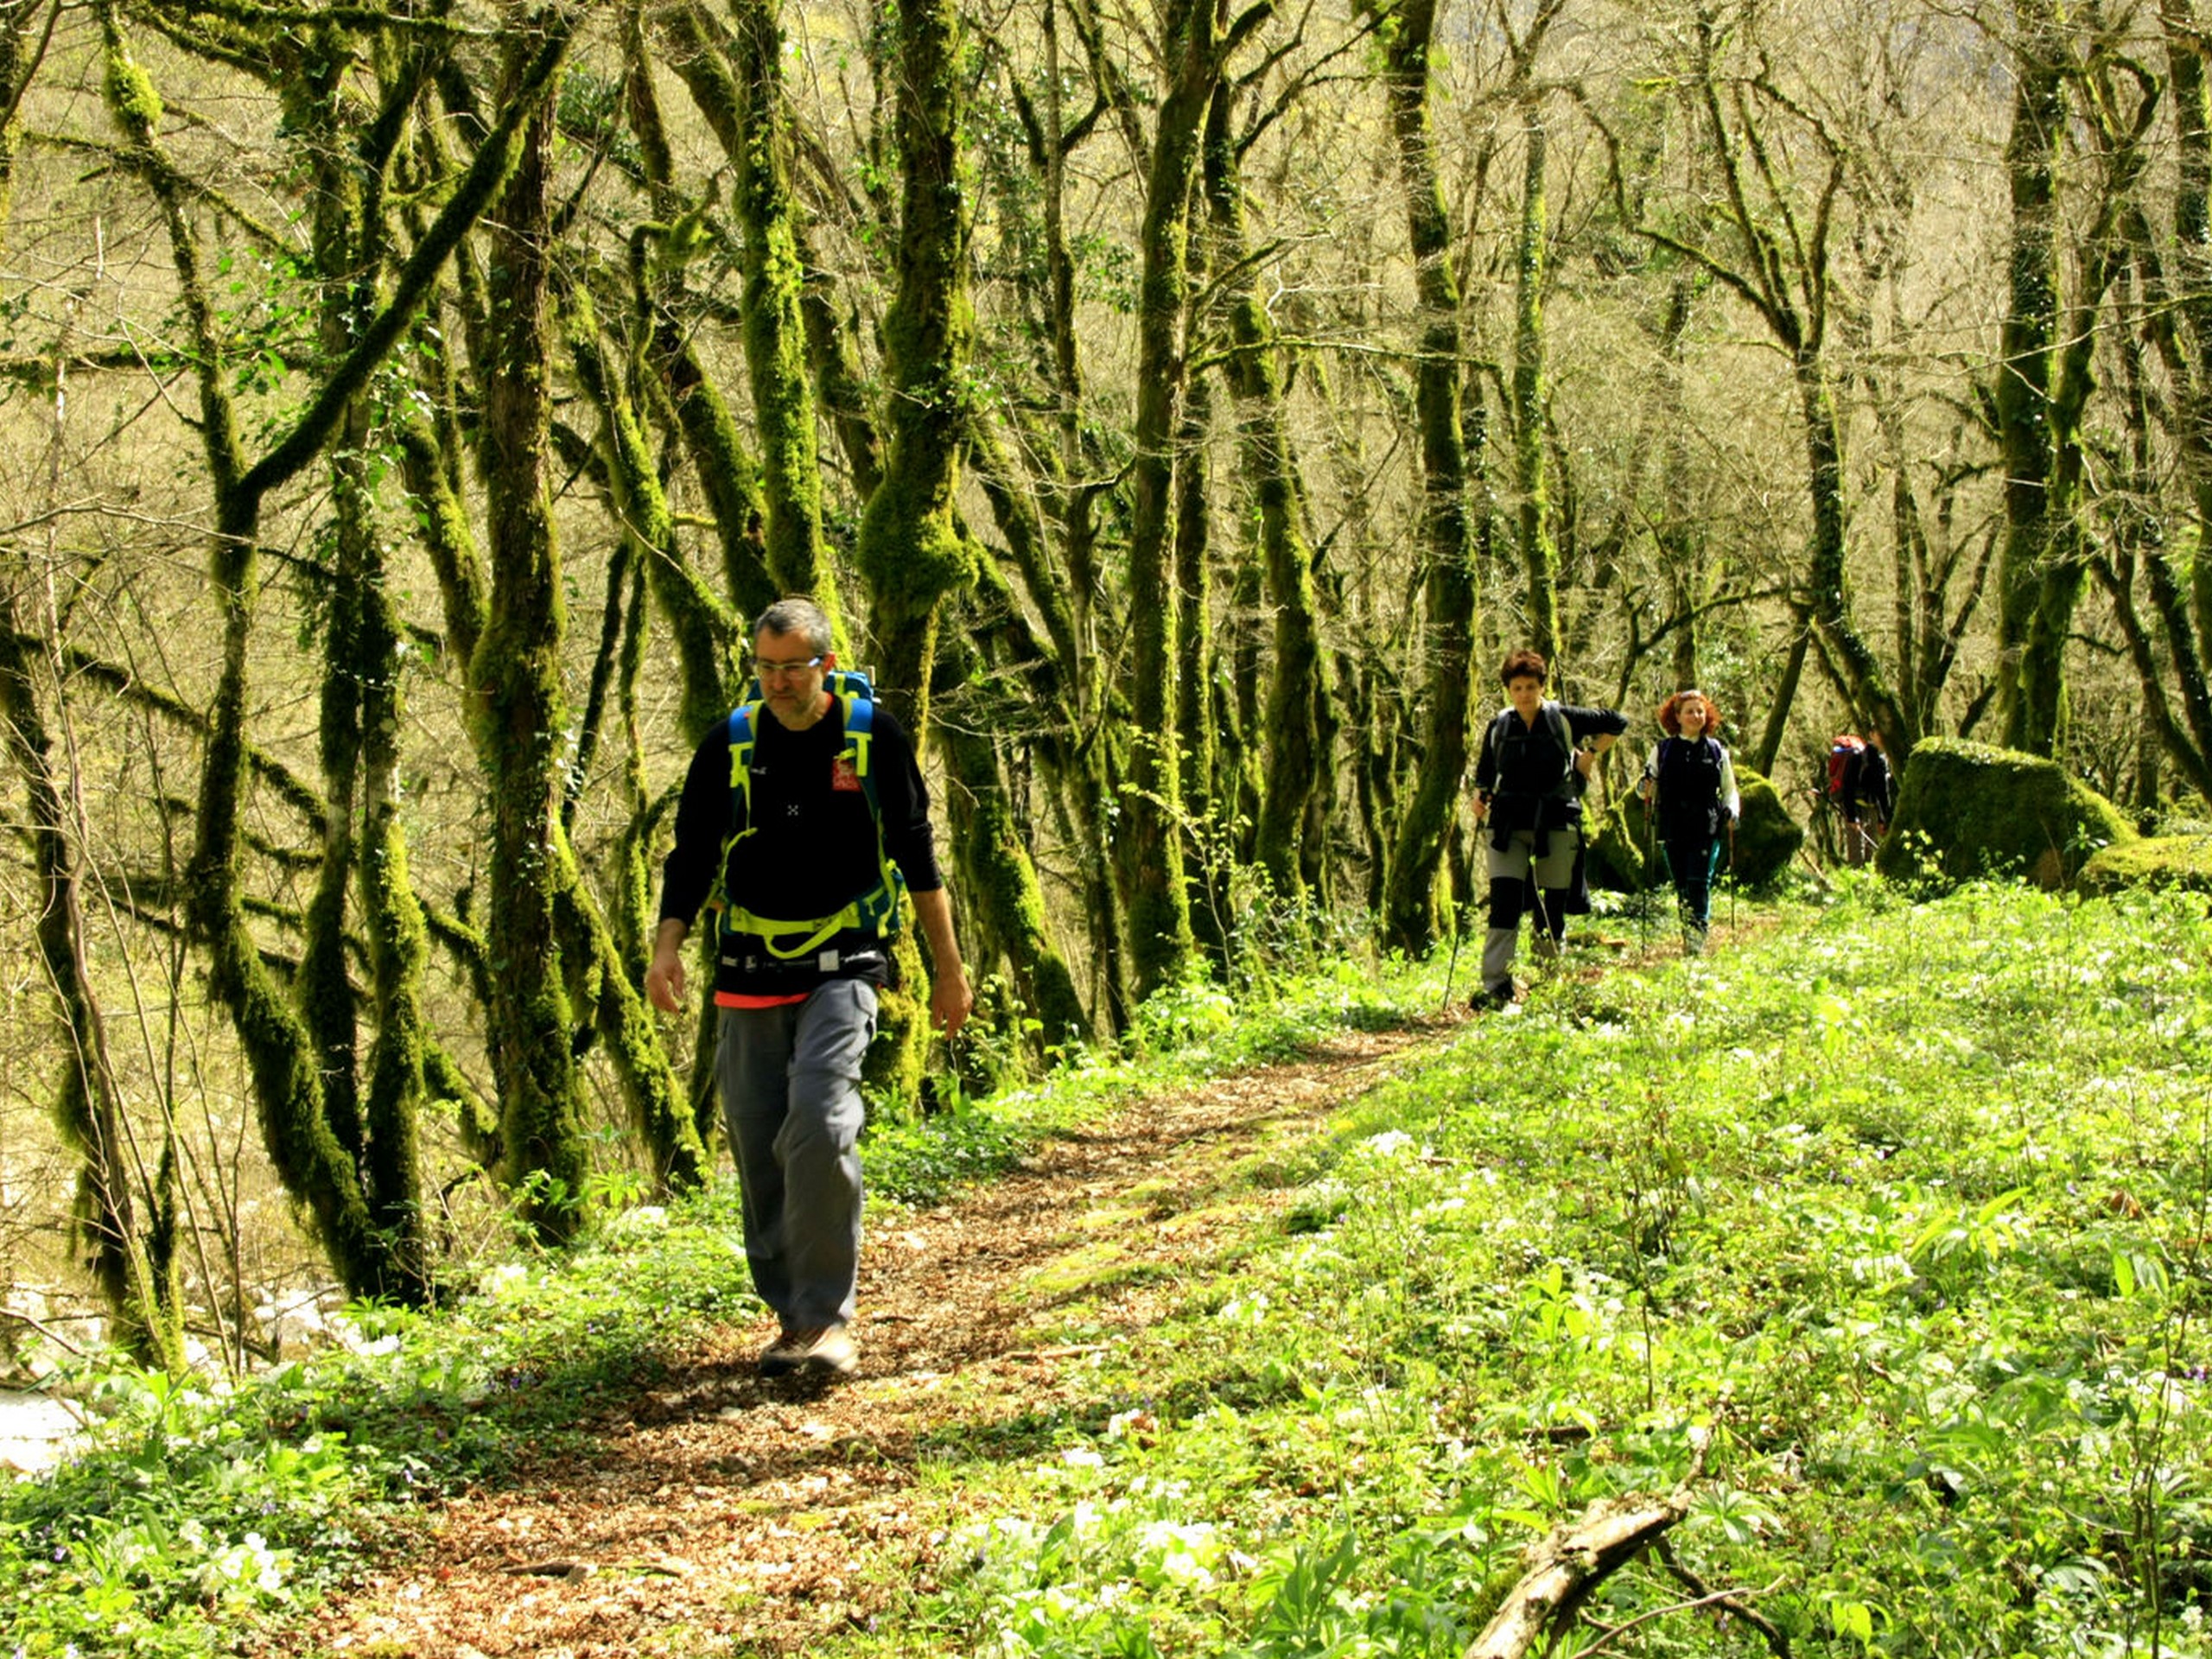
(1906,1204)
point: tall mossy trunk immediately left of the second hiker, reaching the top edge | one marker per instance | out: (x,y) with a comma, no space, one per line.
(1410,915)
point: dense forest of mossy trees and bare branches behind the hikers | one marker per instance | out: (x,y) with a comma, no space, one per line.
(1180,408)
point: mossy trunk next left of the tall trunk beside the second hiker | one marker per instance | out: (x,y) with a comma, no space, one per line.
(1300,674)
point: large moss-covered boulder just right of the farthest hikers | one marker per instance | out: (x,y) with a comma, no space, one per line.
(1970,811)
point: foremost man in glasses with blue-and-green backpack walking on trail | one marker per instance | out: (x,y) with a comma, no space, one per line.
(797,822)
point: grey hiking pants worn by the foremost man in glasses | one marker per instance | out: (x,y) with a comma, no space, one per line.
(791,1098)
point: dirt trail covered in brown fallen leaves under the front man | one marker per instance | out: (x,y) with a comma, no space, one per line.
(724,1514)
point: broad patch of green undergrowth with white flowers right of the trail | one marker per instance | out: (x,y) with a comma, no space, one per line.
(1906,1207)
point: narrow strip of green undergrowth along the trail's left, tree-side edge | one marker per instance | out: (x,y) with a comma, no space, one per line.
(205,1514)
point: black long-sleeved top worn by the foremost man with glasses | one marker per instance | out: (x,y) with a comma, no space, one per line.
(813,846)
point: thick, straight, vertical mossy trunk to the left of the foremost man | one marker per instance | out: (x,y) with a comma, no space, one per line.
(521,713)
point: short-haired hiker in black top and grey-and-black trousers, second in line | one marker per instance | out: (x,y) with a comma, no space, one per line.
(1527,789)
